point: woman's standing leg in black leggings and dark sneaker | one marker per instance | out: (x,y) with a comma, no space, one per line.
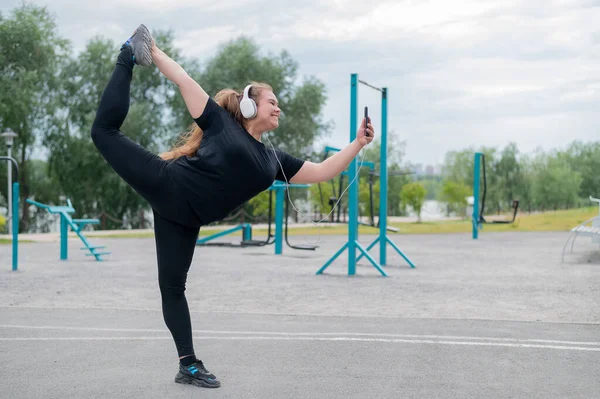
(175,246)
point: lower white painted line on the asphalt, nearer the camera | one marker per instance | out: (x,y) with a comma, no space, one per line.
(332,339)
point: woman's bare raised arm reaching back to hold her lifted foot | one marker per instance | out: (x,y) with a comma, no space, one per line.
(194,96)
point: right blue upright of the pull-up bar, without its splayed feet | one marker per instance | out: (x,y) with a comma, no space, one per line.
(383,182)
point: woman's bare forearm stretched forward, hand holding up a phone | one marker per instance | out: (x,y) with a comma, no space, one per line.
(319,172)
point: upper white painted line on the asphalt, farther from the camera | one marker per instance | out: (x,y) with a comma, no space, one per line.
(303,334)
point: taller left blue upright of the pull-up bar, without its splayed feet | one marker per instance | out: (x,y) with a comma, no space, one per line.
(352,170)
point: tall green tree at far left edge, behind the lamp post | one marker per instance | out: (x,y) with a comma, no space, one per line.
(31,54)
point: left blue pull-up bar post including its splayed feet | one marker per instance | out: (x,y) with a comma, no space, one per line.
(352,245)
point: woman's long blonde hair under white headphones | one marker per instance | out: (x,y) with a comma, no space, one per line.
(189,142)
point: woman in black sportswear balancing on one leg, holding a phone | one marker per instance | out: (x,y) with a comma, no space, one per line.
(221,164)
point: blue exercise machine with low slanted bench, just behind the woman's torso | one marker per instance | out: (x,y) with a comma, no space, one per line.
(279,190)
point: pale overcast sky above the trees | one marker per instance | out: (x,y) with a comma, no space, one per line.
(460,73)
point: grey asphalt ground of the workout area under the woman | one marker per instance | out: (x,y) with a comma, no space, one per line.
(500,317)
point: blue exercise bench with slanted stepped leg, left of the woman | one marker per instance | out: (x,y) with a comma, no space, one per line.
(76,225)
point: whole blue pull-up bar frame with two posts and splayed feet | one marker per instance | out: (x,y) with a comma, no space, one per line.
(352,245)
